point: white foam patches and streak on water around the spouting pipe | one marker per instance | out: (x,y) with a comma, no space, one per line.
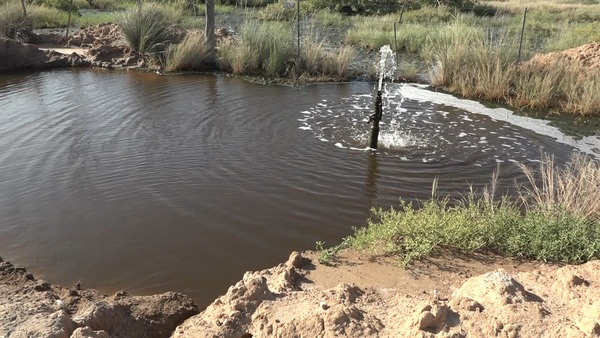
(419,124)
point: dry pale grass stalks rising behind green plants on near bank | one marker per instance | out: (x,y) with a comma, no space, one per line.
(574,188)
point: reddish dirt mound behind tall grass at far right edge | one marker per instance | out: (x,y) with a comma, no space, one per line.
(587,56)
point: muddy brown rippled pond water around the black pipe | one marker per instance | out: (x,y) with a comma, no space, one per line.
(151,183)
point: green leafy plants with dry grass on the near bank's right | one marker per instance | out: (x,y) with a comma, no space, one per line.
(555,218)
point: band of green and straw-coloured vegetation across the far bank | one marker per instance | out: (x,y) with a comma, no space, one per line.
(435,32)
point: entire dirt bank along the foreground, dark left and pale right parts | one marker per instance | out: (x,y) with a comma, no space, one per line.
(443,296)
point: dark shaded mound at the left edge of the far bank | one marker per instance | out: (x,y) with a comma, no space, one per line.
(15,55)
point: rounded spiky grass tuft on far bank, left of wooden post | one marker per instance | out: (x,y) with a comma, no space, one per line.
(146,29)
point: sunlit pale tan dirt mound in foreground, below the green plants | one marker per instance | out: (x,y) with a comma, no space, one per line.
(286,301)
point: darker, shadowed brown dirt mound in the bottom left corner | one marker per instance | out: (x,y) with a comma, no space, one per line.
(33,308)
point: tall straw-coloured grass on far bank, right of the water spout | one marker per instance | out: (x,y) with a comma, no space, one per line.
(465,60)
